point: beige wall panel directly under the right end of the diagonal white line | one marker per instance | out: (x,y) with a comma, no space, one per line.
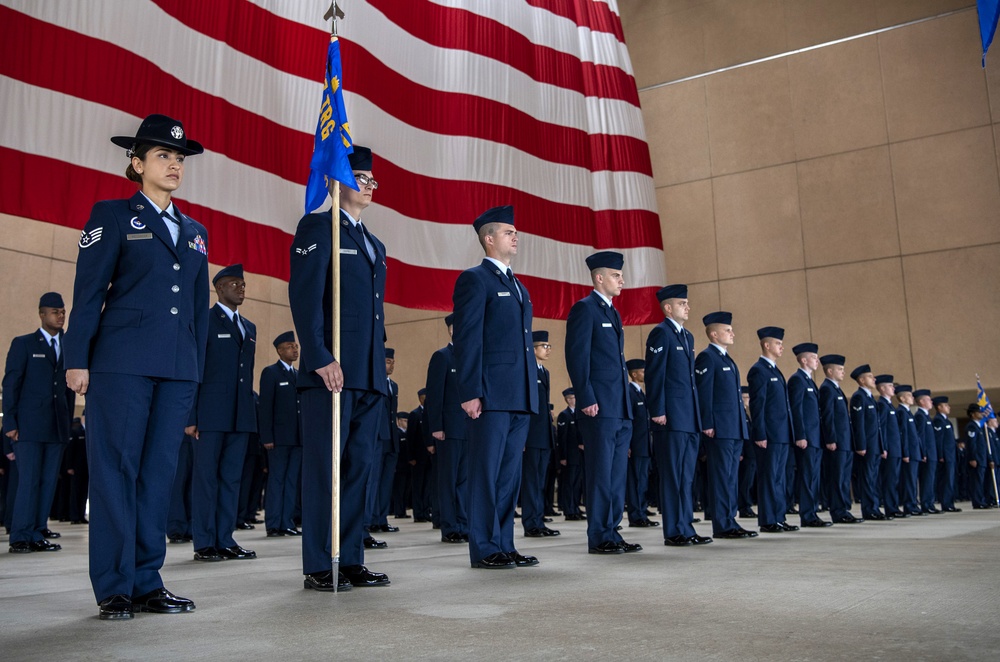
(932,77)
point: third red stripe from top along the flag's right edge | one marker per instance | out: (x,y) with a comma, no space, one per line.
(456,114)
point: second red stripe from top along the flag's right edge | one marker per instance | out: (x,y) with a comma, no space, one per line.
(459,29)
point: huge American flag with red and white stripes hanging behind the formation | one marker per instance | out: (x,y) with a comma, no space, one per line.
(467,104)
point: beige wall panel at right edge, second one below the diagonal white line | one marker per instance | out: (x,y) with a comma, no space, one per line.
(946,190)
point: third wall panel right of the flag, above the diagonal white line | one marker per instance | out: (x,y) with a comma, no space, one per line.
(810,22)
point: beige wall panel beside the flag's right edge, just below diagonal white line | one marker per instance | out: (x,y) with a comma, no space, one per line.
(677,132)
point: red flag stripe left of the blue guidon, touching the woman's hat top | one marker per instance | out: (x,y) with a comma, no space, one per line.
(46,55)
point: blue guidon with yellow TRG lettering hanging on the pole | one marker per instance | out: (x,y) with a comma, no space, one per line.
(333,136)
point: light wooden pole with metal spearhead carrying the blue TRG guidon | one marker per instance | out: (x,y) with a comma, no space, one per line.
(334,12)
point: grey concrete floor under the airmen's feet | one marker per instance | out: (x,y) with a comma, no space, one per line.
(919,589)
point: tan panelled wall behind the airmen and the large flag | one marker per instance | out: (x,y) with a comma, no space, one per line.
(848,193)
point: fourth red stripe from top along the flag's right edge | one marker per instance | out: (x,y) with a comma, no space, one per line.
(460,202)
